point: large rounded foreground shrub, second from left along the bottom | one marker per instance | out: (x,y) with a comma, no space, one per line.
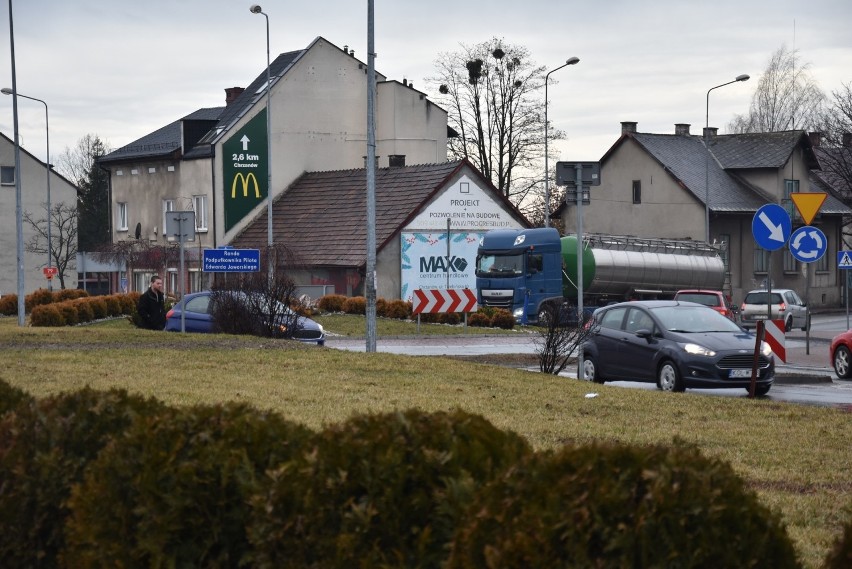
(173,491)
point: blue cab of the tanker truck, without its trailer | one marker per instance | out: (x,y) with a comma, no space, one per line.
(519,270)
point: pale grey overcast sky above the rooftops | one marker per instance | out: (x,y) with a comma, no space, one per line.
(123,68)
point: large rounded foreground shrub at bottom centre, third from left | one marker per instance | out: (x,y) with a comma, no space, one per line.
(378,491)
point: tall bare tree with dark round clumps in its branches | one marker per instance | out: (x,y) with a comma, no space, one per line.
(492,91)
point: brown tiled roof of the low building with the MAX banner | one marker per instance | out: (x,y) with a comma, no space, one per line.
(322,217)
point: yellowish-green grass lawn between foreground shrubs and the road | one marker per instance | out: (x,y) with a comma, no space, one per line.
(796,457)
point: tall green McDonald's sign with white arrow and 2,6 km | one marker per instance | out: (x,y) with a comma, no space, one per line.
(245,170)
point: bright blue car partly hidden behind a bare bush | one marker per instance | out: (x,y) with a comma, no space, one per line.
(198,317)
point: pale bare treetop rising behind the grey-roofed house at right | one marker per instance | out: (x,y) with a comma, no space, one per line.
(787,97)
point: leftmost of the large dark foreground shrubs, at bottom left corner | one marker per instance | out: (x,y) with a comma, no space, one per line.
(45,446)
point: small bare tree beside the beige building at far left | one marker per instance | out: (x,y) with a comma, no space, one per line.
(63,237)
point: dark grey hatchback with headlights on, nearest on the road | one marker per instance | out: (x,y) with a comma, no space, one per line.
(674,344)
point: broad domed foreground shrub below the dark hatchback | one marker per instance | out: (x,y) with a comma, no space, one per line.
(621,506)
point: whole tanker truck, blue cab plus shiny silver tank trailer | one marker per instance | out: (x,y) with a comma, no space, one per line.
(533,272)
